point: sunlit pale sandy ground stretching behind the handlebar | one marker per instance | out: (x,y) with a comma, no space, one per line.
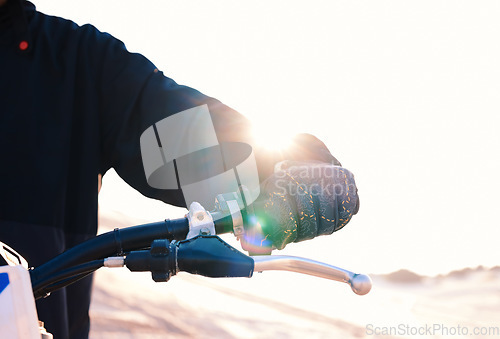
(289,305)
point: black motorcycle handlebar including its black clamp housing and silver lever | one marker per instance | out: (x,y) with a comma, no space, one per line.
(205,255)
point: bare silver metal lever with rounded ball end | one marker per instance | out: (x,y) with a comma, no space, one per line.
(361,284)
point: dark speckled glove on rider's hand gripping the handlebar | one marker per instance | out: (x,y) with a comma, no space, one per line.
(302,200)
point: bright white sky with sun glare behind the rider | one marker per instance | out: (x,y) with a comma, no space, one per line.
(404,93)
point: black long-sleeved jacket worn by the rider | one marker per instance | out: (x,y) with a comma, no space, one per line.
(73,105)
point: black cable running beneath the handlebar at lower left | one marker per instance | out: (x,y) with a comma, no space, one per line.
(40,284)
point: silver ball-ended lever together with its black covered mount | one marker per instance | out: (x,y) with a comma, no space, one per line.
(210,256)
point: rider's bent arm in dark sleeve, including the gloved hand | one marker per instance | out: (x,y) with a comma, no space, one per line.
(145,114)
